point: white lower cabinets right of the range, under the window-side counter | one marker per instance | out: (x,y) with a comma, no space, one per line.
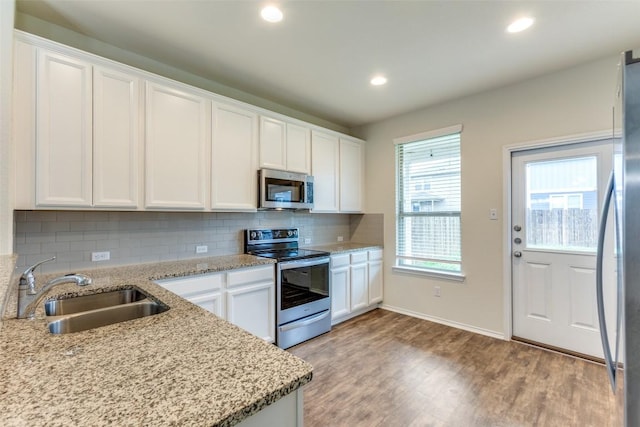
(356,283)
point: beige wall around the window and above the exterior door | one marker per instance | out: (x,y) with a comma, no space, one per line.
(567,102)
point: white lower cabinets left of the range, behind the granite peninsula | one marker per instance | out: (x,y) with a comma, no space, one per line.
(244,297)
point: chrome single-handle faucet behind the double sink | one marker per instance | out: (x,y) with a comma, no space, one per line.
(29,298)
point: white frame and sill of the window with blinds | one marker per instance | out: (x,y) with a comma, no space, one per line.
(423,271)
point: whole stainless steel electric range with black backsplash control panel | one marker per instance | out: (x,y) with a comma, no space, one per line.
(303,303)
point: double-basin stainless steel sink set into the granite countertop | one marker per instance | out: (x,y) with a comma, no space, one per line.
(86,312)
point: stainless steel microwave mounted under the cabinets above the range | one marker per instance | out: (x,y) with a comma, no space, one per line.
(284,190)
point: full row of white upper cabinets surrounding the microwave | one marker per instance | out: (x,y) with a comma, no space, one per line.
(93,133)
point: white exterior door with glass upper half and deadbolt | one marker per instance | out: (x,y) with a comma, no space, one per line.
(556,204)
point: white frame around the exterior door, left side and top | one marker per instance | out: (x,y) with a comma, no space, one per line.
(507,152)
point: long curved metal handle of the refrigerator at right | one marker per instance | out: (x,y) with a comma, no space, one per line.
(611,368)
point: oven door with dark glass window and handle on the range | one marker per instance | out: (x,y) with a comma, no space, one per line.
(302,289)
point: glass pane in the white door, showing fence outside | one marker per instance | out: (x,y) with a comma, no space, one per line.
(562,204)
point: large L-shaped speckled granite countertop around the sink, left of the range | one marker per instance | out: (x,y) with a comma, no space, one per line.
(181,367)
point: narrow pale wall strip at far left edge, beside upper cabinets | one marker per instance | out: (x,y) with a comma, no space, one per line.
(7,9)
